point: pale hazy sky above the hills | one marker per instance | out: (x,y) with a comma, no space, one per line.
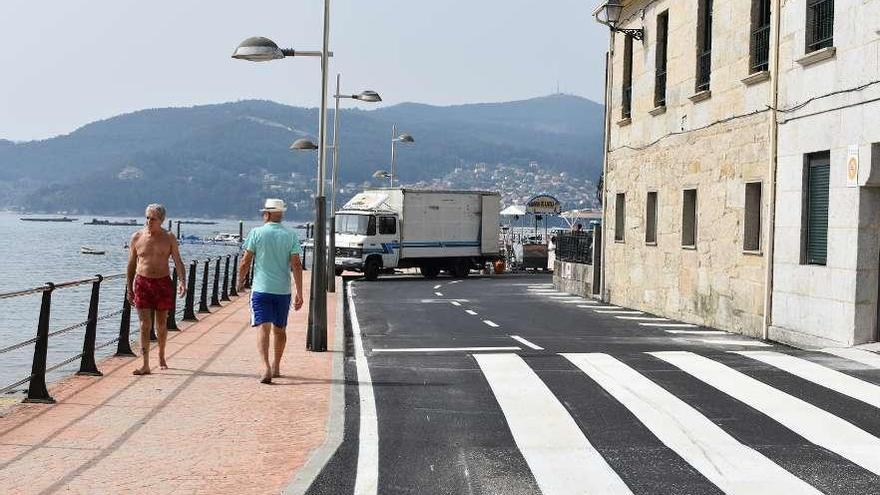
(65,63)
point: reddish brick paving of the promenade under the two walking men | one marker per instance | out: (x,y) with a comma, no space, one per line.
(205,425)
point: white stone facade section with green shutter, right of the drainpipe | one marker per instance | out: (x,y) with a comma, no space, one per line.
(827,237)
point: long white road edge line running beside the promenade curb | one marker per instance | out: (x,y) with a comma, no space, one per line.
(367,476)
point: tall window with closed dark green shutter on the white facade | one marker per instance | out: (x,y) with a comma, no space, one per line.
(818,175)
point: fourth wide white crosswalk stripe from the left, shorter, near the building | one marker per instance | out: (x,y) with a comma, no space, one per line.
(820,375)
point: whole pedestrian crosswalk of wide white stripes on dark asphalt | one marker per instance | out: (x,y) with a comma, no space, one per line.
(565,460)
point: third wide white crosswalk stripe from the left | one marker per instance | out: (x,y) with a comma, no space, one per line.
(816,425)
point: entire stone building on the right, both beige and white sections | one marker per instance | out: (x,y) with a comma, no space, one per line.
(706,186)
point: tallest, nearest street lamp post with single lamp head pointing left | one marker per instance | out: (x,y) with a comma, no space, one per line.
(260,49)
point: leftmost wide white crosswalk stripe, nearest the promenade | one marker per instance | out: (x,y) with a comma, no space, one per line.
(560,457)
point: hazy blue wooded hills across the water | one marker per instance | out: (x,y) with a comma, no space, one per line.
(218,160)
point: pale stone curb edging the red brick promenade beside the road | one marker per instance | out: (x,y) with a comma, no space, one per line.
(335,428)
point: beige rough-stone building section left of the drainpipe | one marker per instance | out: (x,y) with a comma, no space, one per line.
(687,164)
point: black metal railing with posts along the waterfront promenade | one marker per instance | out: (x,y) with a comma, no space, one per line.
(37,390)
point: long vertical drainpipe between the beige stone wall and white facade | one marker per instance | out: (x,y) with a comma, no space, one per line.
(774,156)
